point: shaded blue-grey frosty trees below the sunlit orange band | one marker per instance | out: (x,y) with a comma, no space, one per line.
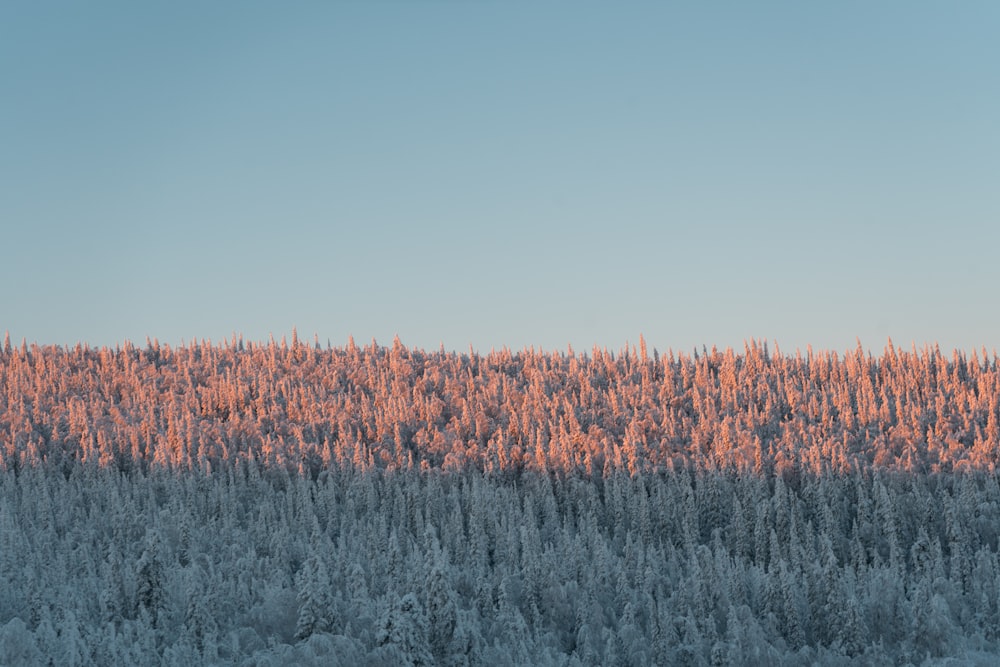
(418,567)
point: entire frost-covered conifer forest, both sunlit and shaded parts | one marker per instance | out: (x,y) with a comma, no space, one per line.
(296,504)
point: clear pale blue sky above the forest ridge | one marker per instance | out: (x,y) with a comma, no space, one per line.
(502,173)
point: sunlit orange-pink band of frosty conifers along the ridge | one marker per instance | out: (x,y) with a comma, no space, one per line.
(297,406)
